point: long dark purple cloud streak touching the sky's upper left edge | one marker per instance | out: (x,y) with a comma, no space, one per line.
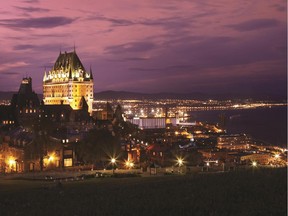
(42,22)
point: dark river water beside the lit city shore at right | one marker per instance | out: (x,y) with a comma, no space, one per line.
(267,124)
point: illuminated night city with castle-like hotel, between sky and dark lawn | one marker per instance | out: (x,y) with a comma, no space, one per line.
(71,130)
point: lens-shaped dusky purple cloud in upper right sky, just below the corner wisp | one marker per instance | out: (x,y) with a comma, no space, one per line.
(255,24)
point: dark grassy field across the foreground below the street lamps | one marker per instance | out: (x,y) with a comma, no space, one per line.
(263,192)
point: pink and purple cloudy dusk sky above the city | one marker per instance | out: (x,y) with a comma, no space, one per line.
(150,46)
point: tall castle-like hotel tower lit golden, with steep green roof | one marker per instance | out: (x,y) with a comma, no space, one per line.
(67,82)
